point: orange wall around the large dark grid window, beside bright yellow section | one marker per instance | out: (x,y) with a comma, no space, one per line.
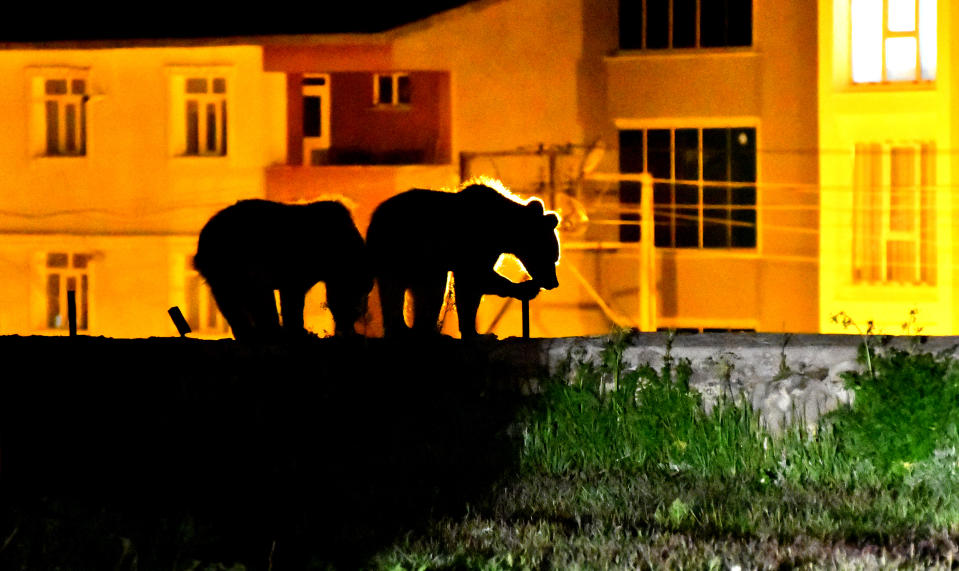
(763,90)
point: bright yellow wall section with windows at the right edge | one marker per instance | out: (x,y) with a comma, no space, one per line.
(886,140)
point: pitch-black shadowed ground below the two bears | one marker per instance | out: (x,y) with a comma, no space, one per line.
(173,451)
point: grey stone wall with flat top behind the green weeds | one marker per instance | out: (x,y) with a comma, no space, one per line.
(785,377)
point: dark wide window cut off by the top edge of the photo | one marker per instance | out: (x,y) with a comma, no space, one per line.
(664,24)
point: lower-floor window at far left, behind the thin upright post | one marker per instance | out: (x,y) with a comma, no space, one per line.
(67,272)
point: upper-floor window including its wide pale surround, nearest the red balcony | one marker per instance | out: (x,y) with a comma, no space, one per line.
(221,104)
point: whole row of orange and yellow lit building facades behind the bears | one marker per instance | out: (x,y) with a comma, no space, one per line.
(741,119)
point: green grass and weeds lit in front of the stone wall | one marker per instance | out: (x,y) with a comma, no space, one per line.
(624,469)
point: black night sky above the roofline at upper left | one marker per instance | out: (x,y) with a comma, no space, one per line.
(183,19)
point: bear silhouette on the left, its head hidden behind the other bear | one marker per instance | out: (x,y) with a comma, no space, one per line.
(249,249)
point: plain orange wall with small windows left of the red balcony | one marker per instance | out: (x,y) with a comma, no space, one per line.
(119,155)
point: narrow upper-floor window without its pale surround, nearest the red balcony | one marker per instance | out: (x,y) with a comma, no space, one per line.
(205,115)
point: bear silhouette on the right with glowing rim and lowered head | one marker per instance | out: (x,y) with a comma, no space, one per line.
(416,237)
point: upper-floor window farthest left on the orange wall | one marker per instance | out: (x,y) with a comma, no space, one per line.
(60,112)
